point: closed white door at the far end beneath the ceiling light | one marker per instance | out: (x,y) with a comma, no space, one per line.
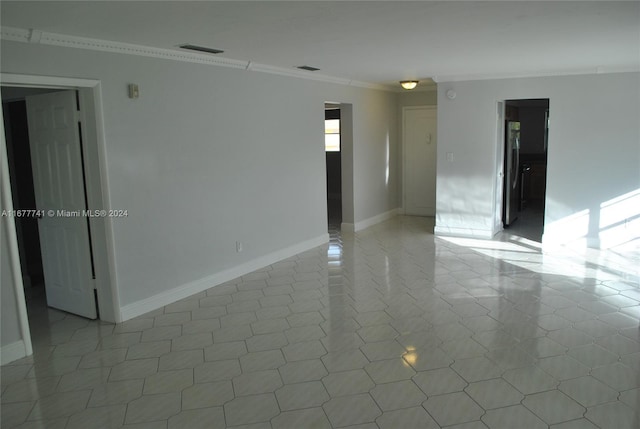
(419,131)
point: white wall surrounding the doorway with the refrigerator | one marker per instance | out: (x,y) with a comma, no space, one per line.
(593,157)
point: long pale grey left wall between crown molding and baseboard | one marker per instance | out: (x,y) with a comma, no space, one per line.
(208,156)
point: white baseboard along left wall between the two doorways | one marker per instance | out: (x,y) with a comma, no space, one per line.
(165,298)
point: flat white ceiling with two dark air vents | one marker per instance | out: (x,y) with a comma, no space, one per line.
(376,42)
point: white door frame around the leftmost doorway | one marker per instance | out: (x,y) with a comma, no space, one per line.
(96,183)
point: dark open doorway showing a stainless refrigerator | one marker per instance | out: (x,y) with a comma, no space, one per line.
(525,165)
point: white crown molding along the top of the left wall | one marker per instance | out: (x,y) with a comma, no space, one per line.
(54,39)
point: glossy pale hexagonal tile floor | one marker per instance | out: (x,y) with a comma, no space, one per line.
(388,328)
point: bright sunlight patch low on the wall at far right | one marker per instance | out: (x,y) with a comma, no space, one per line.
(614,223)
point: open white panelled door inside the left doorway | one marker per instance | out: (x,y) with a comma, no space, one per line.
(56,157)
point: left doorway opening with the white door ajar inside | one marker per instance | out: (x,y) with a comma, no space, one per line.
(43,135)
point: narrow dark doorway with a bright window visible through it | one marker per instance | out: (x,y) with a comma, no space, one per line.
(333,153)
